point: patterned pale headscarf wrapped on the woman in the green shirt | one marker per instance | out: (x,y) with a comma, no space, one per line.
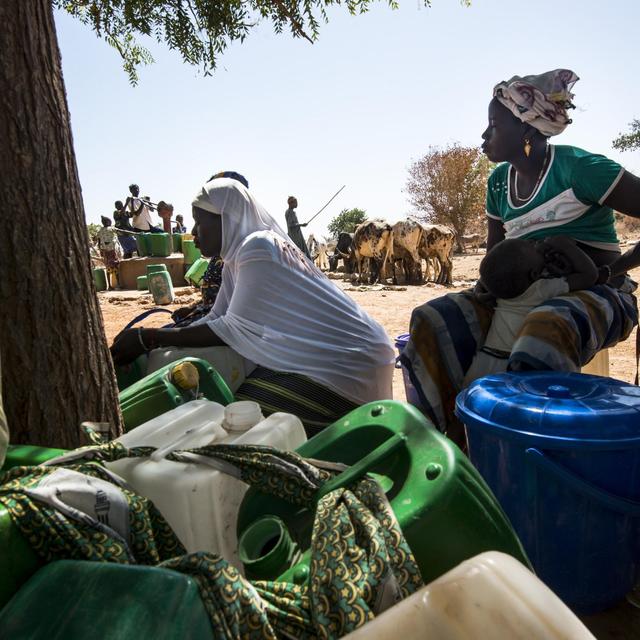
(540,101)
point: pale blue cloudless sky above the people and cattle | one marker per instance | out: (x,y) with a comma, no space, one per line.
(355,108)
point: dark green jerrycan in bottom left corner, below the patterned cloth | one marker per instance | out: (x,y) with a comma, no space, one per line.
(75,600)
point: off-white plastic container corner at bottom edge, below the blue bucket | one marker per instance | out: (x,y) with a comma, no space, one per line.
(491,596)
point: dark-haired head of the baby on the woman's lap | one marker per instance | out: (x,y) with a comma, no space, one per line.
(511,267)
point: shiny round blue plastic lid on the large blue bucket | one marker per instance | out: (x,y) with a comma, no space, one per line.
(553,409)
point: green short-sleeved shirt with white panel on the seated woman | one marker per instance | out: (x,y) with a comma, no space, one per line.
(568,200)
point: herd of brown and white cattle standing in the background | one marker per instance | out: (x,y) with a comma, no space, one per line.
(378,250)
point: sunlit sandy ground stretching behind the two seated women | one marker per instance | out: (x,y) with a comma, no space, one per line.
(391,307)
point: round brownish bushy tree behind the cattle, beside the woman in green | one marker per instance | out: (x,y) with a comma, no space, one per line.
(448,186)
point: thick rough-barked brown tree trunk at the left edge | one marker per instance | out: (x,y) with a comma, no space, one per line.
(56,364)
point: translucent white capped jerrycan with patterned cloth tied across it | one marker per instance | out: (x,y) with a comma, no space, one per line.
(199,502)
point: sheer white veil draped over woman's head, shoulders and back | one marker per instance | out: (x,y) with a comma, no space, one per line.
(278,310)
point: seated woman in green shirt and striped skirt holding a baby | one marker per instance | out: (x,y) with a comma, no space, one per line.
(539,190)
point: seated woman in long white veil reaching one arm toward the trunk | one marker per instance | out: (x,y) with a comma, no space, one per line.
(318,355)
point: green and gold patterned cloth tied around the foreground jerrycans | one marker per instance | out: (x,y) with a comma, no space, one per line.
(360,562)
